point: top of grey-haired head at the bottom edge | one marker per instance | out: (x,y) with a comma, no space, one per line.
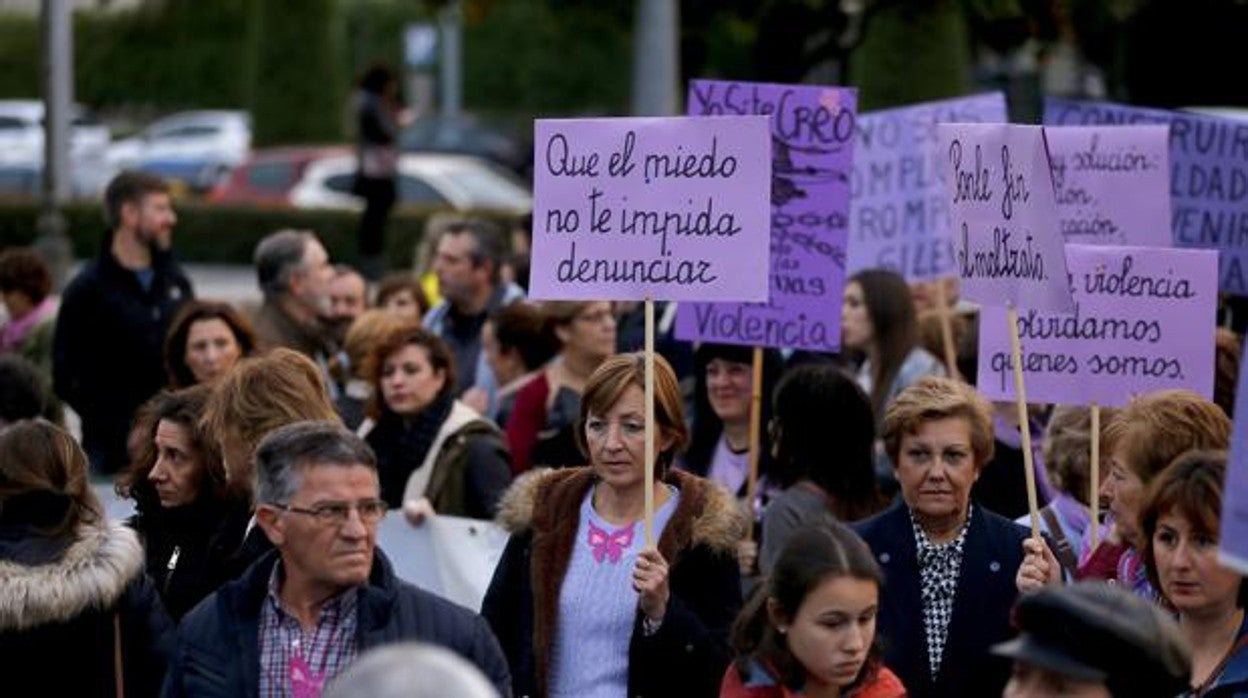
(411,670)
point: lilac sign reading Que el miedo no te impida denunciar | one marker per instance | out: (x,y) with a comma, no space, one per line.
(668,209)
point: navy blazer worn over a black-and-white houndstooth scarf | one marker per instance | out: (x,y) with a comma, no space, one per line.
(987,594)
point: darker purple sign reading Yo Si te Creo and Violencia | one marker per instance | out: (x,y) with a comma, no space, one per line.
(813,140)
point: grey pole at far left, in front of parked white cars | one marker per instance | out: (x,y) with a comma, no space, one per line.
(58,83)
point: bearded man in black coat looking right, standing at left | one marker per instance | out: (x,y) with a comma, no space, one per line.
(110,330)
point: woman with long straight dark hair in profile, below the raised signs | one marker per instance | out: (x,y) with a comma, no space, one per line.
(879,320)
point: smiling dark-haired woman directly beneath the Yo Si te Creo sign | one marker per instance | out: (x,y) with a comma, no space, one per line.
(721,445)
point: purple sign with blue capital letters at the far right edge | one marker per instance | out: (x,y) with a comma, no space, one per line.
(1209,179)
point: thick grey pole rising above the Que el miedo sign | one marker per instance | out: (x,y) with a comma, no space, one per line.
(657,59)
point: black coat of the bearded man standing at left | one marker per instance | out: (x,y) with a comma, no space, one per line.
(108,353)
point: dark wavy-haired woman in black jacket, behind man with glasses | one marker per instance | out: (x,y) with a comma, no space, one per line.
(188,516)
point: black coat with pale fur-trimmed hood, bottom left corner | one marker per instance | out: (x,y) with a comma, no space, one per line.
(59,602)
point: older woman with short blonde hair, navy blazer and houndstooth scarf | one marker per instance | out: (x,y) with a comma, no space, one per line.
(948,563)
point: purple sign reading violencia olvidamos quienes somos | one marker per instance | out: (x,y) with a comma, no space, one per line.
(1144,320)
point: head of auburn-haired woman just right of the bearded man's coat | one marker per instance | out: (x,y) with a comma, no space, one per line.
(205,340)
